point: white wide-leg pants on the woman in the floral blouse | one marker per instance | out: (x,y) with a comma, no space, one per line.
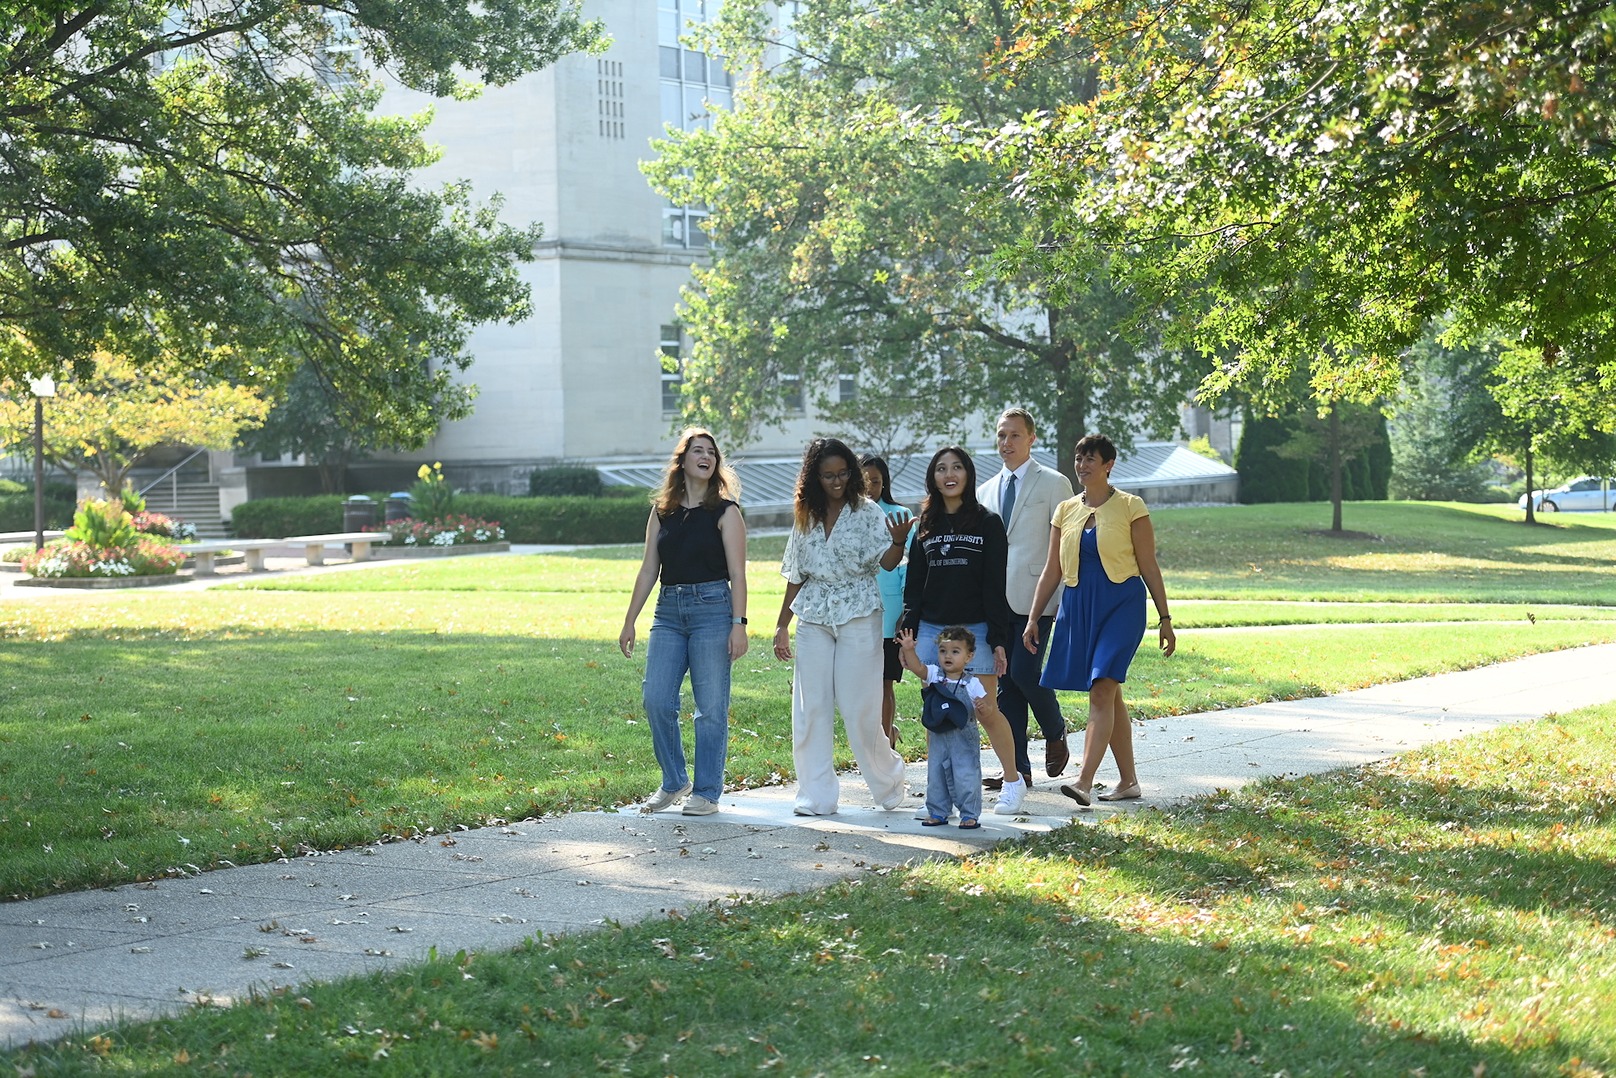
(840,670)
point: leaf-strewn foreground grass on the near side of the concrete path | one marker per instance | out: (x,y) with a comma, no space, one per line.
(1450,911)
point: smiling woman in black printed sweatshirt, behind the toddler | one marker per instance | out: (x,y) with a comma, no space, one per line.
(957,578)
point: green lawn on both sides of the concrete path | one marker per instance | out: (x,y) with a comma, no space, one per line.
(1447,912)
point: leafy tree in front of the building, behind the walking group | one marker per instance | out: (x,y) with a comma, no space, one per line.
(859,234)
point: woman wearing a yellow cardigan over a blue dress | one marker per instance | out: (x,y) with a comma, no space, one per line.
(1103,549)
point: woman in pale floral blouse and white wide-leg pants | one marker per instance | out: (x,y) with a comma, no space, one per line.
(838,542)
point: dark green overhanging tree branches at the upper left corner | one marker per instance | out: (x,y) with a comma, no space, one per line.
(208,185)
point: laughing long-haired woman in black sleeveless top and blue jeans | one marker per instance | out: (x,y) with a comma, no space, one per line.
(696,547)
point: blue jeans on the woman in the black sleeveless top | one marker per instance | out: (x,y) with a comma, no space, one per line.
(691,633)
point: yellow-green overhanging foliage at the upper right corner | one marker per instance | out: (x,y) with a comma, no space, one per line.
(1313,185)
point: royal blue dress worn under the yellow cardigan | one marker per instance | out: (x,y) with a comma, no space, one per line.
(1098,628)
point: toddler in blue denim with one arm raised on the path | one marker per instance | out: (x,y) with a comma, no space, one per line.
(954,757)
